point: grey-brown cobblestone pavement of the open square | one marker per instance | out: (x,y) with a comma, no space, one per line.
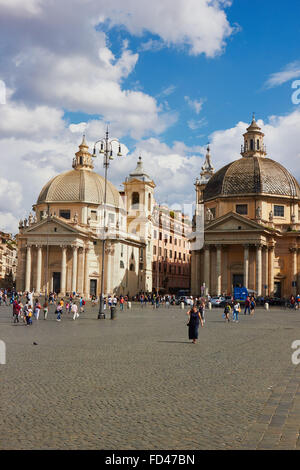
(136,382)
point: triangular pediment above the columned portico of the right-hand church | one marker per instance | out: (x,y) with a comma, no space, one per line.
(233,222)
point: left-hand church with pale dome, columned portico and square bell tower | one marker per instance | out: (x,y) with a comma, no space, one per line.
(60,247)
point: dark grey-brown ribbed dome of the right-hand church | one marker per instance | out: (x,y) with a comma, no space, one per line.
(250,176)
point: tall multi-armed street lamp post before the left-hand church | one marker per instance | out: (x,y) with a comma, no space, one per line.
(107,151)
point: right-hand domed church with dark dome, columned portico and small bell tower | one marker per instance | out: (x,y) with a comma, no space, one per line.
(250,210)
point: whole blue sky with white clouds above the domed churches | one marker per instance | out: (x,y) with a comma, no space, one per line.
(169,77)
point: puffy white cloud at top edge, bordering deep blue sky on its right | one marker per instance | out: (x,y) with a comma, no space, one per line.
(200,25)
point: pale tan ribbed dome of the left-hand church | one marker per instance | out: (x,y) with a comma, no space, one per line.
(79,185)
